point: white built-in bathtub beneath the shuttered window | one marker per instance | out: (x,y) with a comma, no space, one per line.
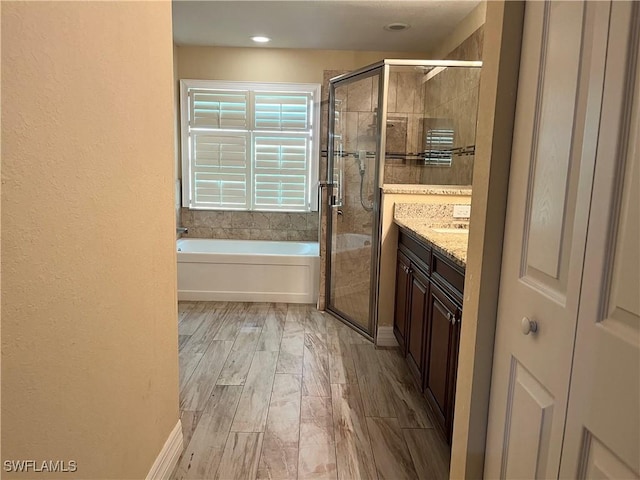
(248,270)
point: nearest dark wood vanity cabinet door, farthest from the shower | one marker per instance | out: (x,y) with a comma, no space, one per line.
(442,316)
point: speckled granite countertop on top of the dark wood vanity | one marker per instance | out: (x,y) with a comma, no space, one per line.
(452,245)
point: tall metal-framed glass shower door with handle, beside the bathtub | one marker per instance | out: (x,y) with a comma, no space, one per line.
(353,161)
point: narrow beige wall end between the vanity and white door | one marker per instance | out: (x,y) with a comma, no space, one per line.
(498,86)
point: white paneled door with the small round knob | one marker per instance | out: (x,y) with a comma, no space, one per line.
(555,139)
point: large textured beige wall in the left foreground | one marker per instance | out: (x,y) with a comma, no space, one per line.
(89,331)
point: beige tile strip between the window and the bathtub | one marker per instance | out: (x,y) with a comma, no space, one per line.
(250,225)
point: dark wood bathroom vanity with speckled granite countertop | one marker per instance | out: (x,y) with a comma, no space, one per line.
(430,272)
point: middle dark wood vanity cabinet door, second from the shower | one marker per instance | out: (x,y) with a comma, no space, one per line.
(417,322)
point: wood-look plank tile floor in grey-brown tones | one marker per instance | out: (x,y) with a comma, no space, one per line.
(282,391)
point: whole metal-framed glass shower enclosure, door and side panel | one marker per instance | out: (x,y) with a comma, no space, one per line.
(384,125)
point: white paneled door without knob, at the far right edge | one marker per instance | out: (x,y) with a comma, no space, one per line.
(602,438)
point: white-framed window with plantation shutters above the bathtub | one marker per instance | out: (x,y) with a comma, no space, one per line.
(250,146)
